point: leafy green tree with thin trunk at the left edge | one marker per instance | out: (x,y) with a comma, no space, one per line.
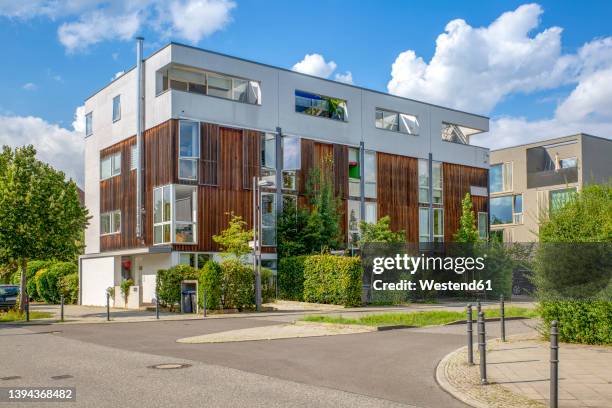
(41,216)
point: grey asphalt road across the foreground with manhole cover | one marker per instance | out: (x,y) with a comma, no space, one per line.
(109,365)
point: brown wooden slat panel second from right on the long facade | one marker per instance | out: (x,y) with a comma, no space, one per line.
(397,193)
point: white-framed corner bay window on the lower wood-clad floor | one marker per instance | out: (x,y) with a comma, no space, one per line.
(175,214)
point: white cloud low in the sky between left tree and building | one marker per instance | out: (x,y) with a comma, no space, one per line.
(61,148)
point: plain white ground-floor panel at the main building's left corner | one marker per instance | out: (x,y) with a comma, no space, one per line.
(97,274)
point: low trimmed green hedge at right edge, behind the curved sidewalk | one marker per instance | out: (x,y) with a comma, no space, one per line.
(580,321)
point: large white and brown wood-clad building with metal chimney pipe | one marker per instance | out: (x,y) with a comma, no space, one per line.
(211,122)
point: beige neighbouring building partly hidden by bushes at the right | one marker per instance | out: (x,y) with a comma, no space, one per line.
(528,181)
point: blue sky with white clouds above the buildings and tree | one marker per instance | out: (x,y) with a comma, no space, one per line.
(526,72)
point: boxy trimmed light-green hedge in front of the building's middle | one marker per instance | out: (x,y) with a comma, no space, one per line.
(333,279)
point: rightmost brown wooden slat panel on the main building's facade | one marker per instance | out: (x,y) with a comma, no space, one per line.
(457,182)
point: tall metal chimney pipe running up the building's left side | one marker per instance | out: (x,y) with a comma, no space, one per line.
(139,126)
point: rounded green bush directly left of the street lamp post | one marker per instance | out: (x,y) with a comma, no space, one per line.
(238,285)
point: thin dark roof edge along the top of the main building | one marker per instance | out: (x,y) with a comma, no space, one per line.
(286,70)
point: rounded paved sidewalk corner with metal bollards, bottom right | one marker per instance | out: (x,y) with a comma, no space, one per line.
(519,373)
